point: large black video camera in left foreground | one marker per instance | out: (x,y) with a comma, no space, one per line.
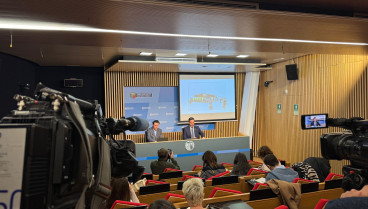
(55,154)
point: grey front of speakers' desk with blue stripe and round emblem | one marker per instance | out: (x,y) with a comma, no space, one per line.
(189,152)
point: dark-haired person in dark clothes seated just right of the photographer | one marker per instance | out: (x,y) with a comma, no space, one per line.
(210,166)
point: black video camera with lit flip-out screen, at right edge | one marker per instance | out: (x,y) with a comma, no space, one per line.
(351,145)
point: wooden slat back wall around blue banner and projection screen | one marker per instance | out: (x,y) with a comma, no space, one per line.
(115,82)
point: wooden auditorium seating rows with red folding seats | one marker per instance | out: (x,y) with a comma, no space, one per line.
(224,187)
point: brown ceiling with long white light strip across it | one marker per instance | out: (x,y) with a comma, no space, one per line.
(99,49)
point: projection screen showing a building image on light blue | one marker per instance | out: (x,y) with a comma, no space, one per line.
(207,97)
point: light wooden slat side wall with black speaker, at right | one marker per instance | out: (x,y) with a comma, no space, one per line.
(333,84)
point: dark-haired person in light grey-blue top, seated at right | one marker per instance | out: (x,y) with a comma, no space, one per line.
(278,171)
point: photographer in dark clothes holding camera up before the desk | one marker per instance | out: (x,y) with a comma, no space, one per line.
(162,163)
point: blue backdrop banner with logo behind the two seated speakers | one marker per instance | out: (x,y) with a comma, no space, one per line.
(156,103)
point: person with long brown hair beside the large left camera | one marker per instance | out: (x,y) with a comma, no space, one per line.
(121,190)
